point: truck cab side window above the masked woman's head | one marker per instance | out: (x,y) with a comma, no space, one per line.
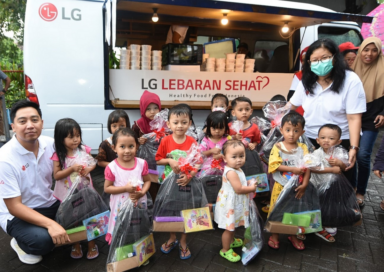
(340,35)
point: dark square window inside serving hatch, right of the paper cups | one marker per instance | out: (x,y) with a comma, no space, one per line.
(271,57)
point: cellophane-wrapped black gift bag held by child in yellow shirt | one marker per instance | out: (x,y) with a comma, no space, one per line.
(309,204)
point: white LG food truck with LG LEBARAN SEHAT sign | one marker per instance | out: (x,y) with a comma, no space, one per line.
(67,45)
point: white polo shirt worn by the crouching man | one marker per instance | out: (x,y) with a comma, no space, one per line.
(22,174)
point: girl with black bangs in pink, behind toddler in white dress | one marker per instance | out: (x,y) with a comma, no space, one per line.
(215,138)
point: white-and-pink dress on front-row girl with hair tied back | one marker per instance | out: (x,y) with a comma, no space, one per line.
(120,176)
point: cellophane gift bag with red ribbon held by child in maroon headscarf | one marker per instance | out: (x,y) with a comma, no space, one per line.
(148,150)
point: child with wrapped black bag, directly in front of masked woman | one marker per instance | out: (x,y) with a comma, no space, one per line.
(338,201)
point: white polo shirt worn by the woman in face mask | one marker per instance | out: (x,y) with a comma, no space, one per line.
(328,107)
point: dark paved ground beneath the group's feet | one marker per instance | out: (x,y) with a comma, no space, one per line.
(356,249)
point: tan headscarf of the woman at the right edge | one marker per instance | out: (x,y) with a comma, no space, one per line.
(372,75)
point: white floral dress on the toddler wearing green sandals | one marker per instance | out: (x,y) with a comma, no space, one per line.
(232,210)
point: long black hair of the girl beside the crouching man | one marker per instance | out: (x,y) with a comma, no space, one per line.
(65,127)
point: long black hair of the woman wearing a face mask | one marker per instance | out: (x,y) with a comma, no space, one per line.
(337,75)
